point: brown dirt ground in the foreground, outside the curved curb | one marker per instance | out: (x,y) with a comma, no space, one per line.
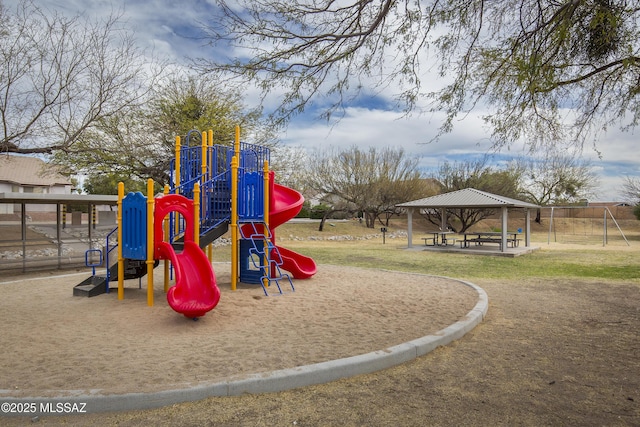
(548,353)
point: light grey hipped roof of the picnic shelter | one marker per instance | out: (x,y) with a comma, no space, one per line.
(467,198)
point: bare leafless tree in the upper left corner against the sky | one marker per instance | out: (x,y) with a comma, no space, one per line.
(62,76)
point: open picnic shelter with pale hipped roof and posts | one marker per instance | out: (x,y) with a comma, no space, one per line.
(473,199)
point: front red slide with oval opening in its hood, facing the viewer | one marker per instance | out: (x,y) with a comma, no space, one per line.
(195,292)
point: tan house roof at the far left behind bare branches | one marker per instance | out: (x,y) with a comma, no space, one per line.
(23,170)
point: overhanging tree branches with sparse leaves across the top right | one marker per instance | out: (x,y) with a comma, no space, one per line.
(548,70)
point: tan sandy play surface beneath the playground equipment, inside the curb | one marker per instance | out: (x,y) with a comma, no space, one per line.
(54,344)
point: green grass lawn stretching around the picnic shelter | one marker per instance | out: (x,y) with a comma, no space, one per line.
(619,262)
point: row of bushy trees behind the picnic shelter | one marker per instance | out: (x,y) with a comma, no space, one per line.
(372,182)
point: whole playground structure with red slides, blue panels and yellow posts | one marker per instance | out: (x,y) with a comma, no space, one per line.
(214,189)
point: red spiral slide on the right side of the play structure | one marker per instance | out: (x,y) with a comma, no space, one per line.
(285,203)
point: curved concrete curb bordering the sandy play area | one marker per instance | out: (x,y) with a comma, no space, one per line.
(274,381)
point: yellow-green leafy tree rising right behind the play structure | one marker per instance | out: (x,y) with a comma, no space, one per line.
(141,144)
